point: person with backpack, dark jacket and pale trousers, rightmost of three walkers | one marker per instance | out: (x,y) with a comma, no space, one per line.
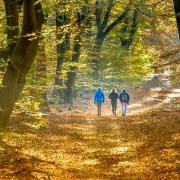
(124,99)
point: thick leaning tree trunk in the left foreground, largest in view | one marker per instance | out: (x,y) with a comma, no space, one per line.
(21,60)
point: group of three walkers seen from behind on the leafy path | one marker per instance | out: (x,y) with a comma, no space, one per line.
(123,97)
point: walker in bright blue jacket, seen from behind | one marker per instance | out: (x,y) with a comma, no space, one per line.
(99,99)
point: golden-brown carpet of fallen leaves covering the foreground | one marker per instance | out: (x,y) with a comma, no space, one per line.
(79,147)
